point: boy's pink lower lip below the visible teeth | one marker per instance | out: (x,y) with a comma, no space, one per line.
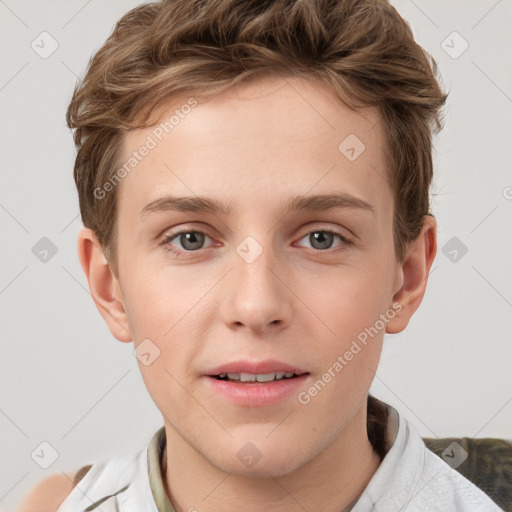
(257,394)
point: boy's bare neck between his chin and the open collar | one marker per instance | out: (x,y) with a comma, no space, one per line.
(331,481)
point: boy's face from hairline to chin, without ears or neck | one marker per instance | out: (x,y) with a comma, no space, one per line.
(256,287)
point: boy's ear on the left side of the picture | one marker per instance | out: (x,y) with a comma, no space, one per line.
(104,286)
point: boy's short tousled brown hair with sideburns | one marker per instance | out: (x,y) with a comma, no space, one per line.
(362,48)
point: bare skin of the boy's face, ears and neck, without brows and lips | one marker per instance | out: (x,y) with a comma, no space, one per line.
(253,147)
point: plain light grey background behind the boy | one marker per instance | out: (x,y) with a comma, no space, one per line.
(66,381)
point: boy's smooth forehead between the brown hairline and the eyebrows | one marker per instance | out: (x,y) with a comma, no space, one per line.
(264,139)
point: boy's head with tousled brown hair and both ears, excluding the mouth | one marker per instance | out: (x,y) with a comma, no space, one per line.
(257,106)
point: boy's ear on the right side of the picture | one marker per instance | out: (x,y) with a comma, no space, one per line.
(414,272)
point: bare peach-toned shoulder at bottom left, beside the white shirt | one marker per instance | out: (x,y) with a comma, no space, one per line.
(49,493)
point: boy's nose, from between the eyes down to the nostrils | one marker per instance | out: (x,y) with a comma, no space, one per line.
(256,292)
